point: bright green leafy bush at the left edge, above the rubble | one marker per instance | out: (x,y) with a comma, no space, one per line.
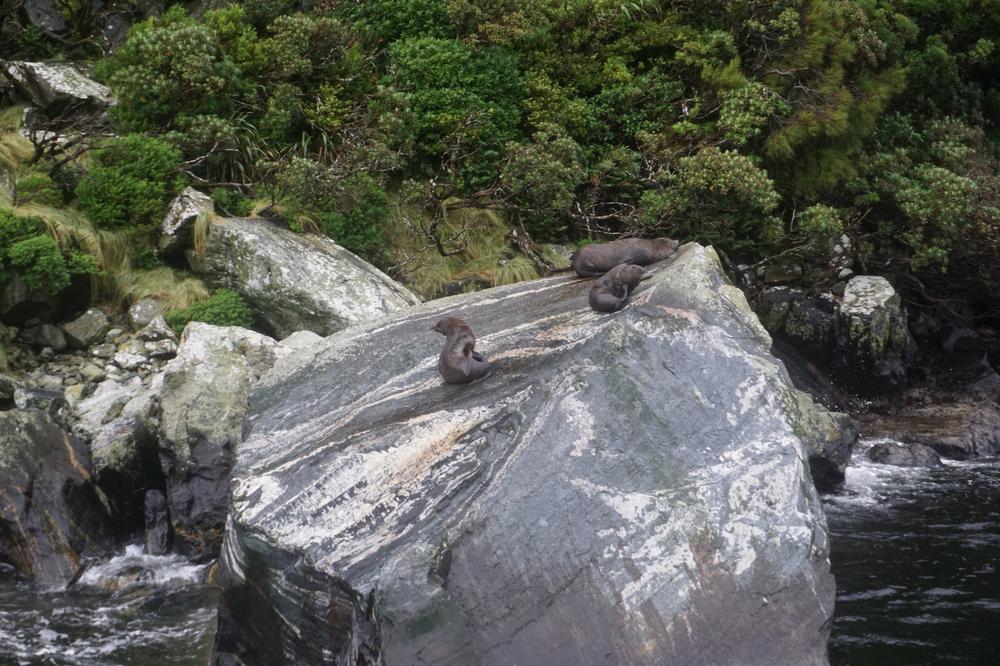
(26,247)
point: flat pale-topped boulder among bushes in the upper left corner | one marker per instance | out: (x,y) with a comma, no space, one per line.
(54,86)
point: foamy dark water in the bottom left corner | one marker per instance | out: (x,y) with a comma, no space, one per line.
(133,610)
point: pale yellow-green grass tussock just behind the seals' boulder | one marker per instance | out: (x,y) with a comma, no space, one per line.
(477,242)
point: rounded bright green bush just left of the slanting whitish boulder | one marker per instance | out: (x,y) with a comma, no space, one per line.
(131,183)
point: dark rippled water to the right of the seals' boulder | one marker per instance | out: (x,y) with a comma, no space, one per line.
(916,553)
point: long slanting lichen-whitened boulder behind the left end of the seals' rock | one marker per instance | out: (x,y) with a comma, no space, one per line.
(296,282)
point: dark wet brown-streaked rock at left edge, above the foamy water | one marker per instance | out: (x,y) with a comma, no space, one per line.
(50,512)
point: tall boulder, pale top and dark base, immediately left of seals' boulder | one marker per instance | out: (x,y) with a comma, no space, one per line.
(202,405)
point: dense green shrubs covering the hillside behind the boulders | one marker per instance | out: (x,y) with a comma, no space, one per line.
(760,127)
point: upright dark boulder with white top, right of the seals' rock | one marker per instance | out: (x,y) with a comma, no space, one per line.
(872,338)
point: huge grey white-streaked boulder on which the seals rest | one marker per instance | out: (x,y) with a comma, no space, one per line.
(623,489)
